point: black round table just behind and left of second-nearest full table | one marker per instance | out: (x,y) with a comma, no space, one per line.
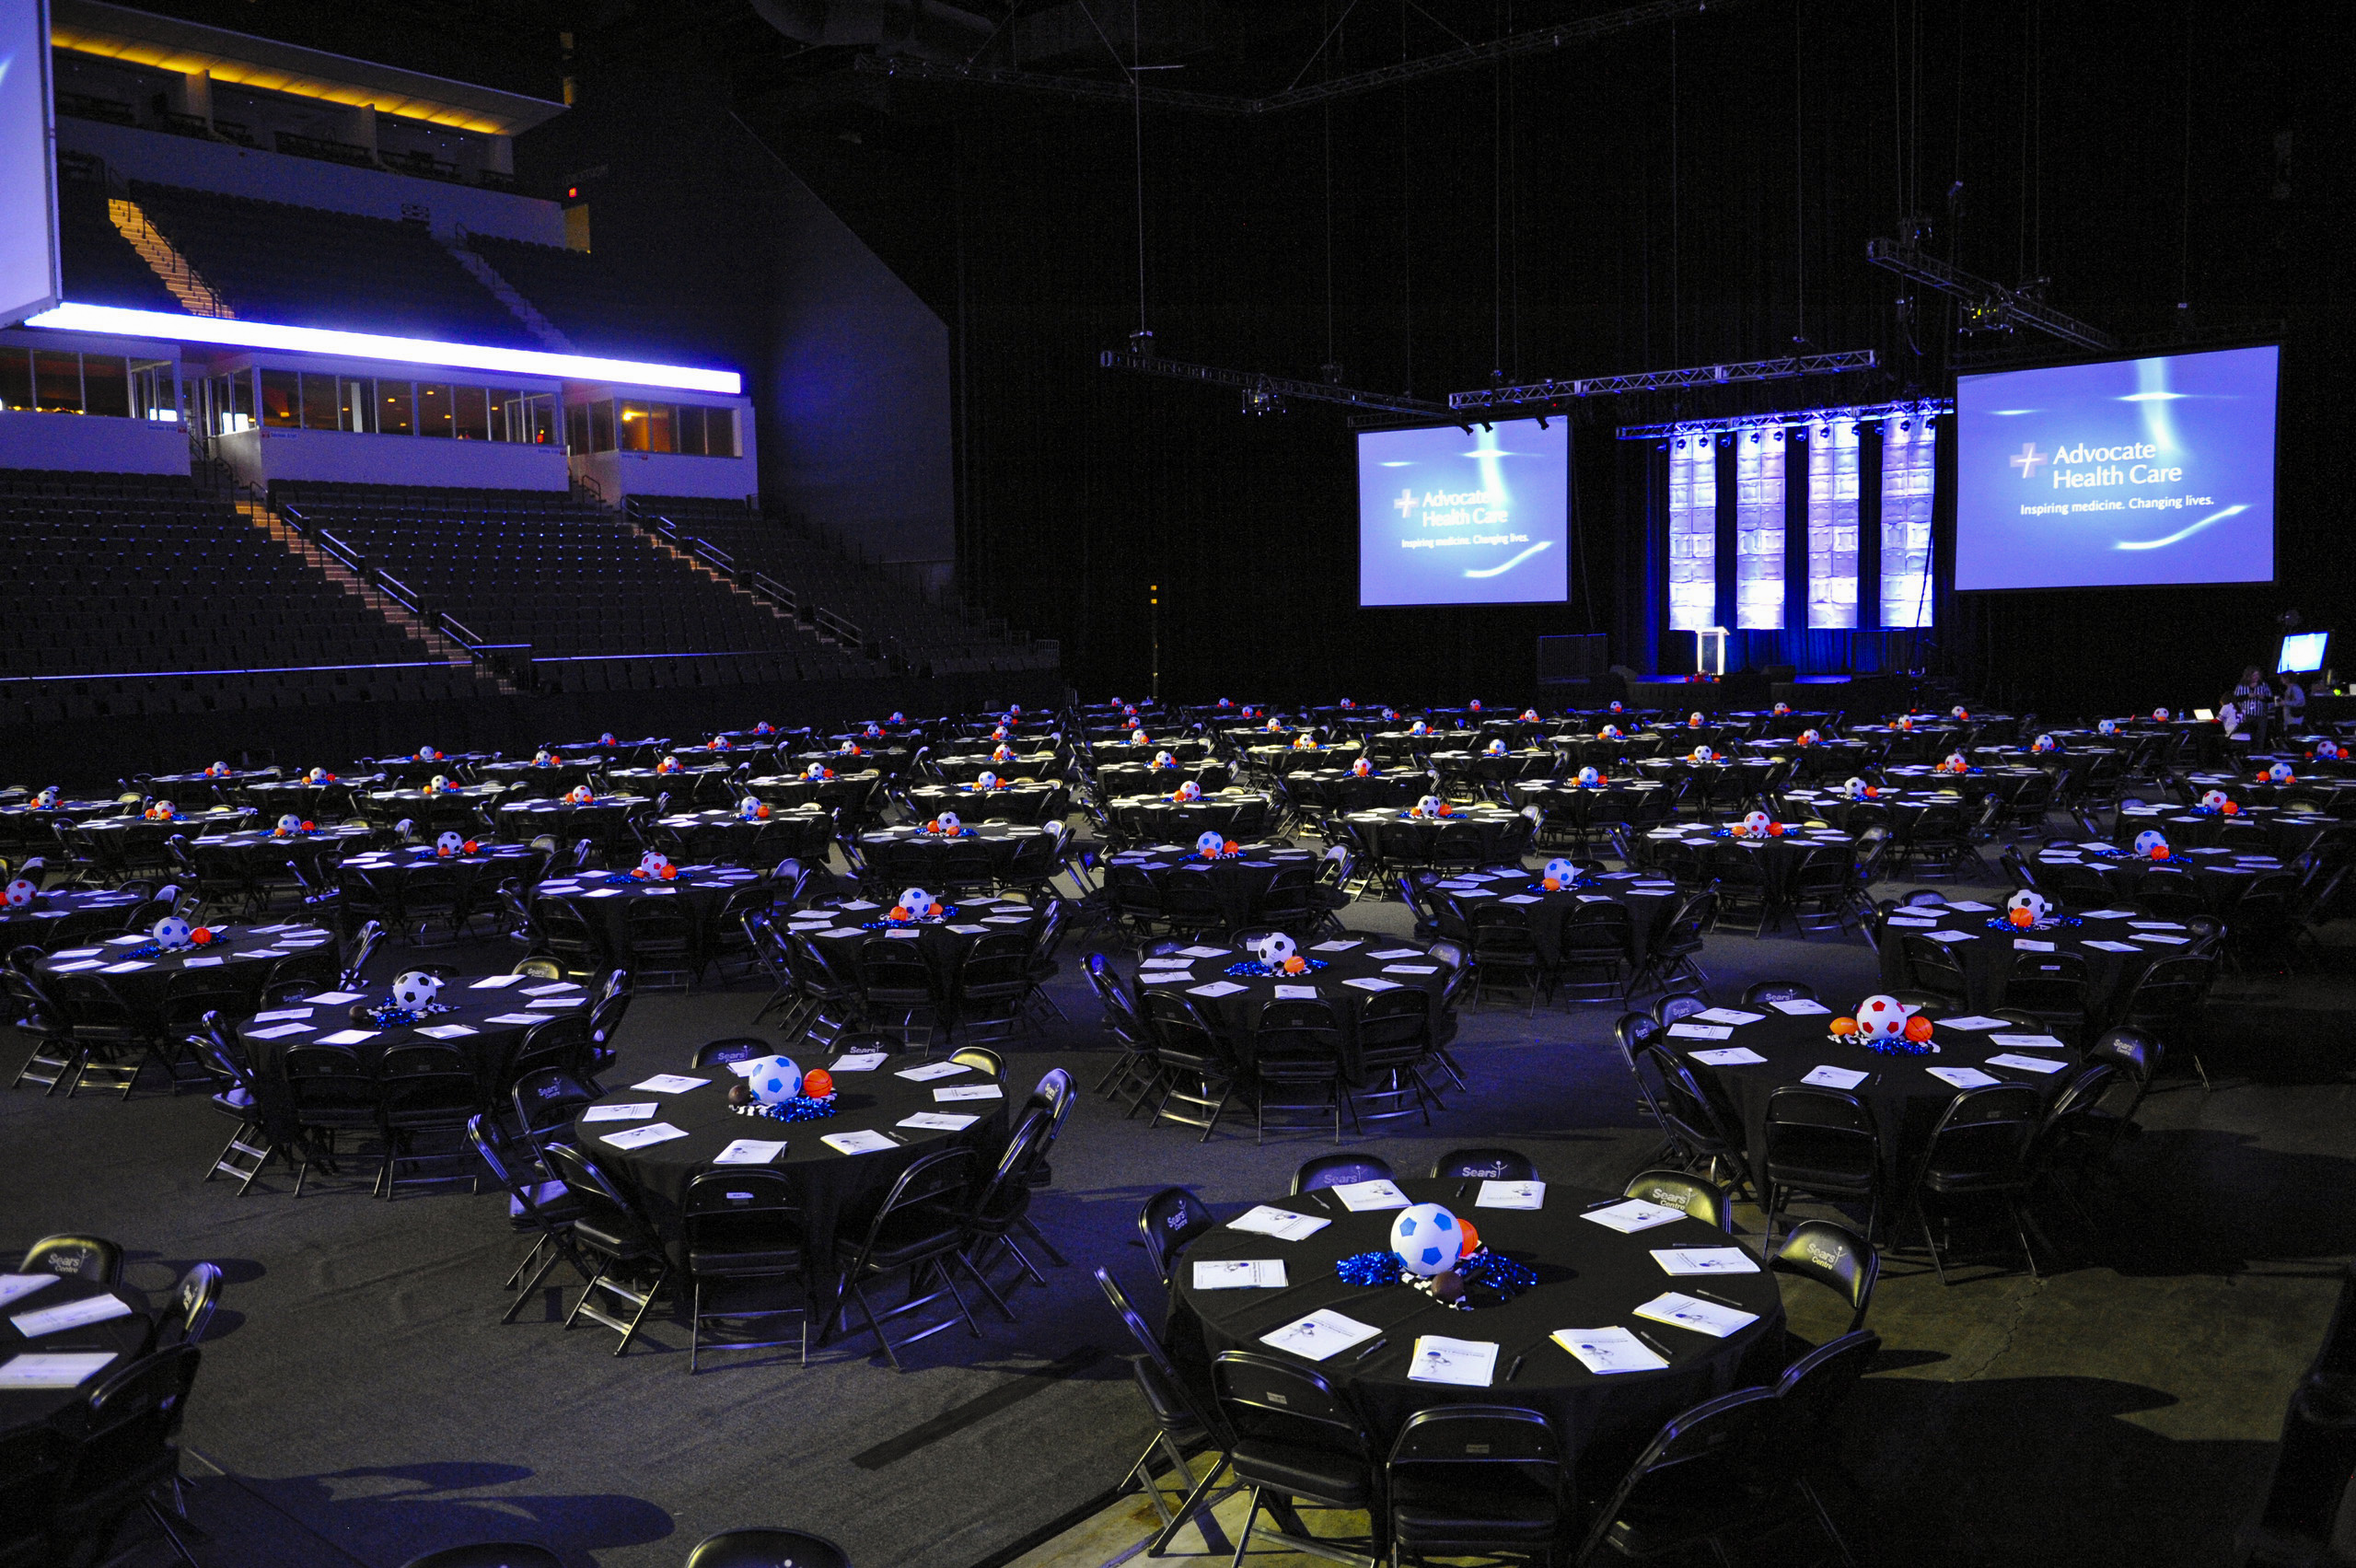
(494,1020)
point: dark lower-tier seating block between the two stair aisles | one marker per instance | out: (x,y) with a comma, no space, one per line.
(600,605)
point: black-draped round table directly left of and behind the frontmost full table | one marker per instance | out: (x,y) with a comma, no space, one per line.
(835,1187)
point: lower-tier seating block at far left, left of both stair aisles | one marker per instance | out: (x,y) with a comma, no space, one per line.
(185,605)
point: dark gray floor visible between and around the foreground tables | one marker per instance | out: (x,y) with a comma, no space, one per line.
(362,1402)
